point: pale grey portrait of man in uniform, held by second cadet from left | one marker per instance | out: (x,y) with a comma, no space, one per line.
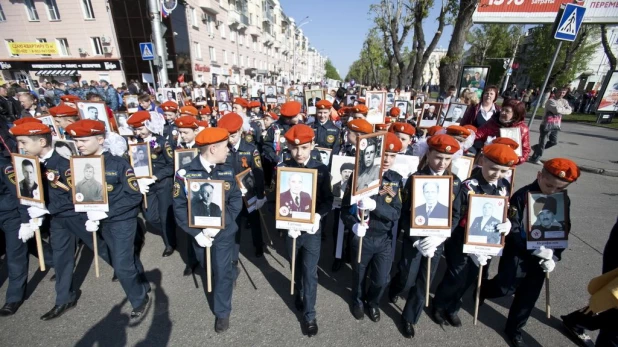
(90,188)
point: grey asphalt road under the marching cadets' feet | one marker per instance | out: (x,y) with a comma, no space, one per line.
(263,309)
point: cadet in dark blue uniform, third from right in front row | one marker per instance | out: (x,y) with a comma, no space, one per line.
(417,251)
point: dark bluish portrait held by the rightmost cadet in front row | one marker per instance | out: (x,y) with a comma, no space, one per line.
(547,220)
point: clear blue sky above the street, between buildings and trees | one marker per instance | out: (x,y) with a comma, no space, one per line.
(338,28)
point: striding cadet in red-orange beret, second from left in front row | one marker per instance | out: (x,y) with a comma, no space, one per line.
(119,225)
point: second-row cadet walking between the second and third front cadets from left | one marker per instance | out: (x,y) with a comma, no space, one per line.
(158,188)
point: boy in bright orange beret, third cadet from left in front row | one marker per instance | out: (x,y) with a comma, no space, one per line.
(210,165)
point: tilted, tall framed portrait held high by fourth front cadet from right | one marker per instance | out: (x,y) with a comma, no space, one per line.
(368,166)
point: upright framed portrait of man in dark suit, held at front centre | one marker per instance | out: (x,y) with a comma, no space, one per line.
(295,196)
